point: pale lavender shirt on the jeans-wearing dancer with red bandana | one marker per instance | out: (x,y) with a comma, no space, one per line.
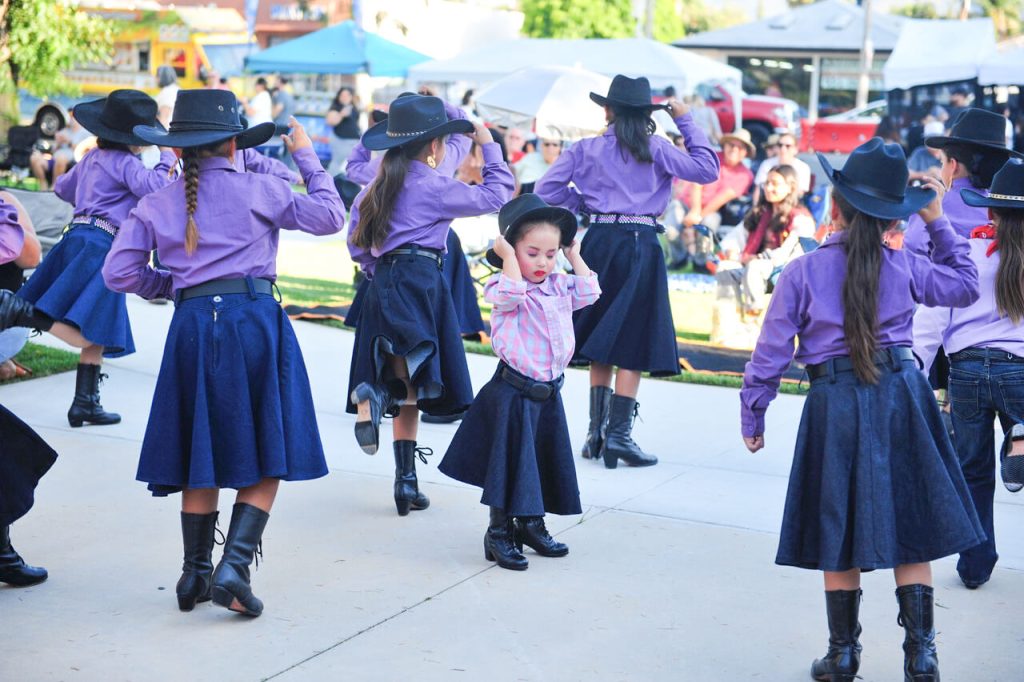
(979,325)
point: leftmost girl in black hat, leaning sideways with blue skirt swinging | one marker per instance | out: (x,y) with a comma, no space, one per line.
(68,287)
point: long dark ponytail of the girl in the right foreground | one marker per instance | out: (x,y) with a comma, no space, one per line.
(861,290)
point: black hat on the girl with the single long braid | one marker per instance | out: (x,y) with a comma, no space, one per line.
(206,117)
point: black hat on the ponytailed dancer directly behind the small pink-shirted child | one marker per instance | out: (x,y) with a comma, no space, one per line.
(413,118)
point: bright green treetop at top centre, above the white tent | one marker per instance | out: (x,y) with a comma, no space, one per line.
(579,19)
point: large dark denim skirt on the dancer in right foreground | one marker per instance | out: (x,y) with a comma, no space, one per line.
(875,483)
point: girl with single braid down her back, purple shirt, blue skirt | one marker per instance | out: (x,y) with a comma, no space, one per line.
(233,406)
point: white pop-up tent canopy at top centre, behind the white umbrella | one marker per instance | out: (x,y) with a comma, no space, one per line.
(663,65)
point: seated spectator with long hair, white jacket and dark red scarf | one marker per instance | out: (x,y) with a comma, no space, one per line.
(769,240)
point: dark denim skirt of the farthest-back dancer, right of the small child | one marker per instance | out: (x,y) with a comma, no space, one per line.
(631,325)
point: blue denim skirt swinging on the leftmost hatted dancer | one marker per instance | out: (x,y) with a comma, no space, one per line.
(69,287)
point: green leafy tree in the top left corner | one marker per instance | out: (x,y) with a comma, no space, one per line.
(40,40)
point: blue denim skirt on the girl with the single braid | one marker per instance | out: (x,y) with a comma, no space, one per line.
(233,404)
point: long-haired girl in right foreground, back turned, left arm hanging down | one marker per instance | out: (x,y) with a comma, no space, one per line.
(875,482)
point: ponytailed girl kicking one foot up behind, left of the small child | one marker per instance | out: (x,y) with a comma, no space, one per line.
(408,348)
